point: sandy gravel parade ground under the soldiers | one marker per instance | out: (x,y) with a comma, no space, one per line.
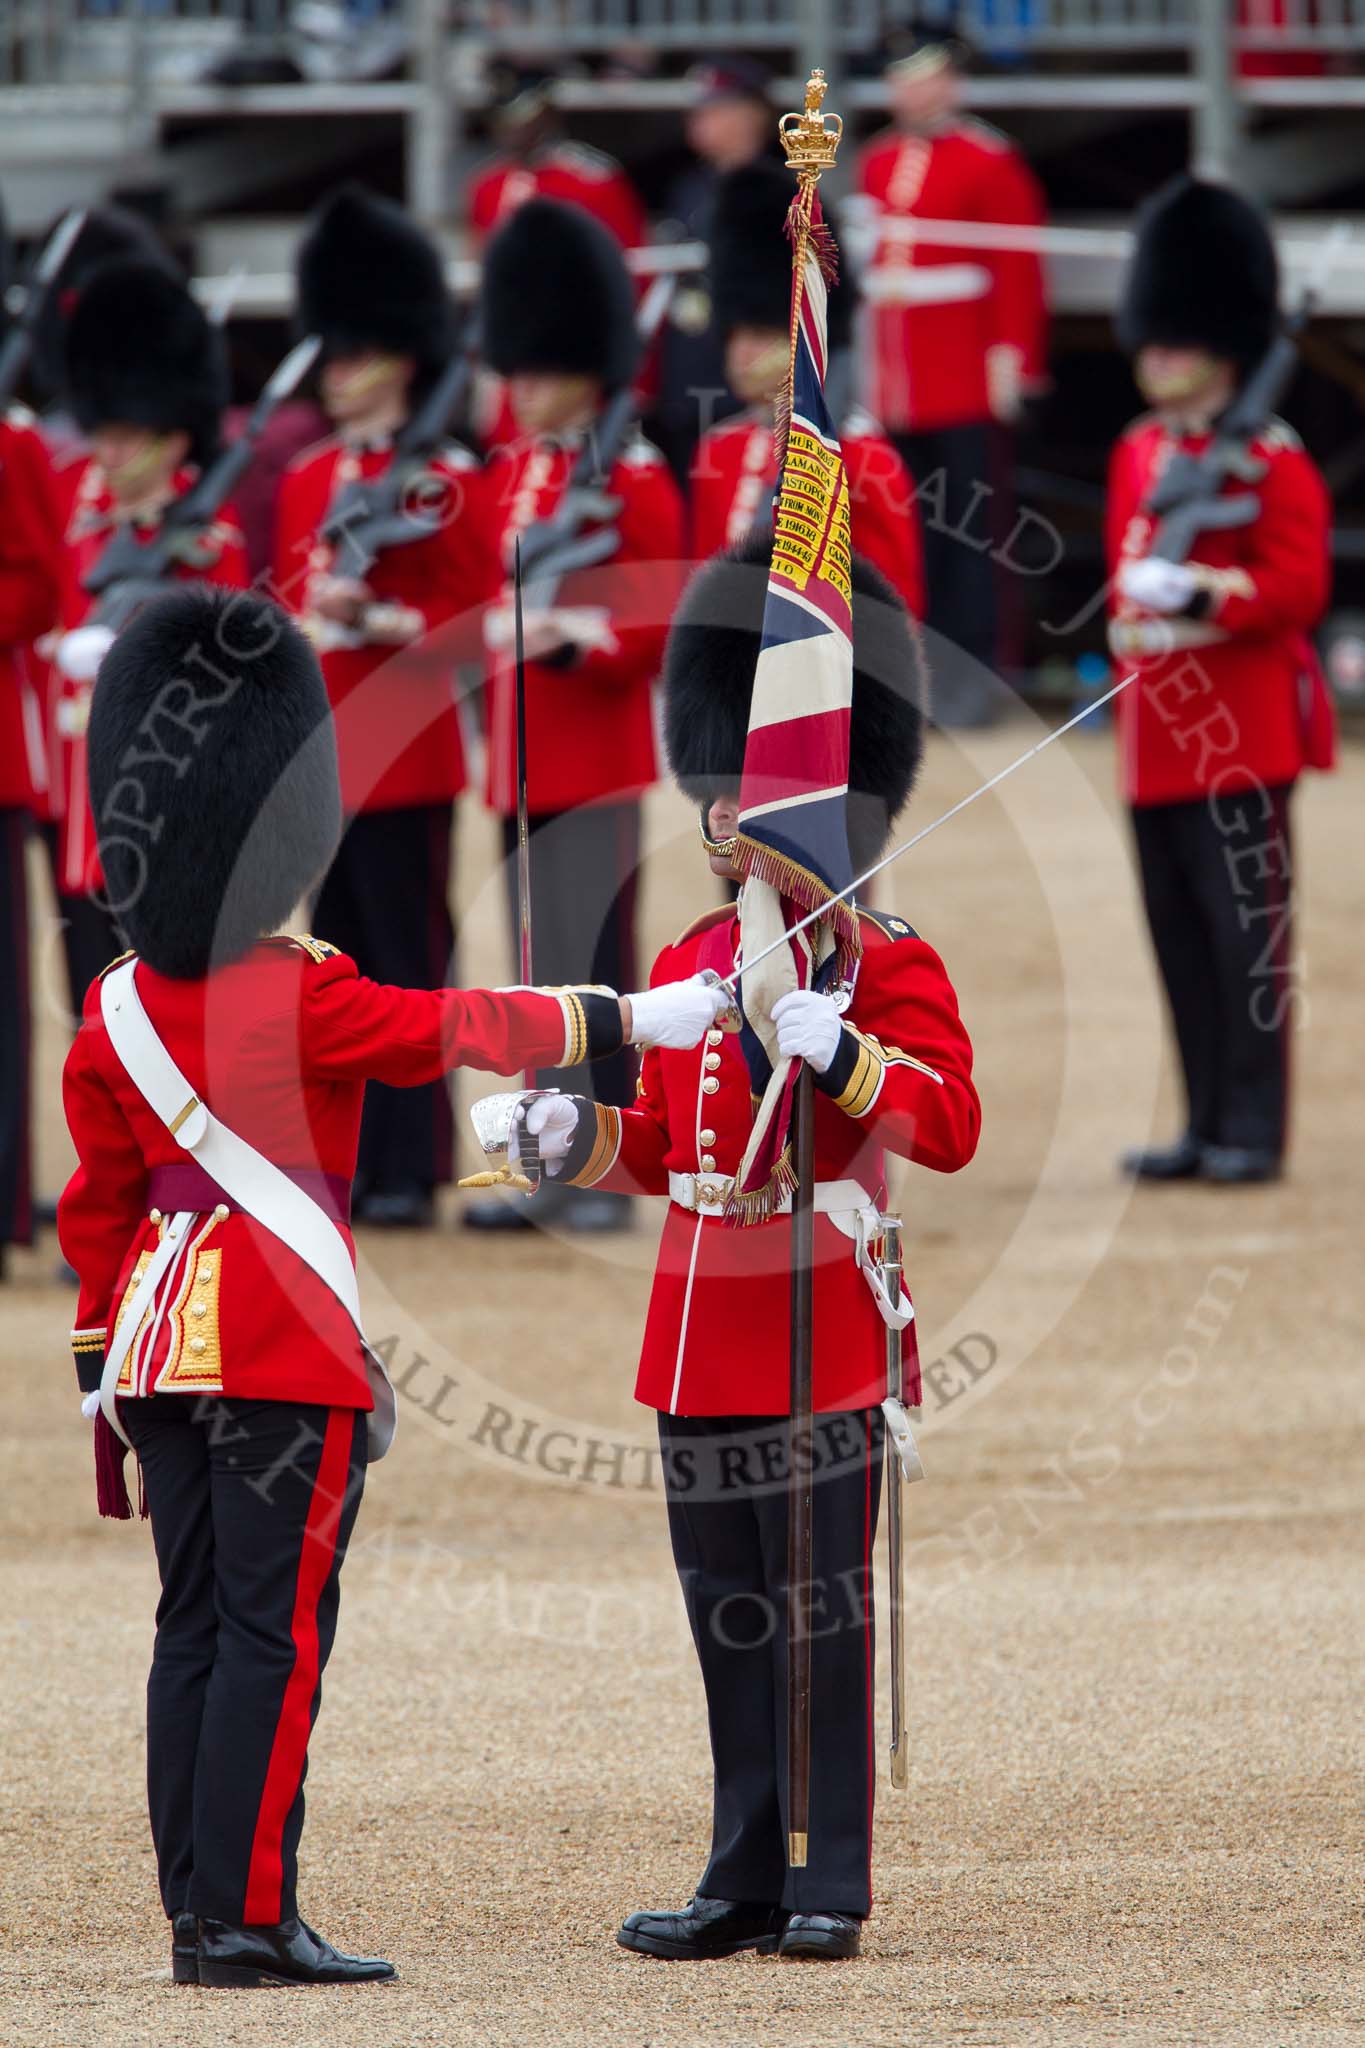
(1137,1807)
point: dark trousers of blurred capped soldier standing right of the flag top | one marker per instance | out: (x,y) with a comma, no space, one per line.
(953,476)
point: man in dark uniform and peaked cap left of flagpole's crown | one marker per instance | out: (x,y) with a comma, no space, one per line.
(730,126)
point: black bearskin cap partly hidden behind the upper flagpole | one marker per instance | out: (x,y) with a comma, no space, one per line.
(752,257)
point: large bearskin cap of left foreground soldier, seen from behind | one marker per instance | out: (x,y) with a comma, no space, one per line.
(212,777)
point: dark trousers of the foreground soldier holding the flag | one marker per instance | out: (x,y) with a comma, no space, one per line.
(728,1521)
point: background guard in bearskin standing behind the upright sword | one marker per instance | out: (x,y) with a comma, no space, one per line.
(558,325)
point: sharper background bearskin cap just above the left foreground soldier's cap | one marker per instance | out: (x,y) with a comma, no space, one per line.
(142,351)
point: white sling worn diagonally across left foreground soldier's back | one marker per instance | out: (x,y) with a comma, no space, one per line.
(253,1183)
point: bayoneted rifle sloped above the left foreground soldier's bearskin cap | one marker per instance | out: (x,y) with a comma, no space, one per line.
(130,572)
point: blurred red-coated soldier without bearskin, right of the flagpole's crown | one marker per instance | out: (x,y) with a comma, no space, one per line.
(955,341)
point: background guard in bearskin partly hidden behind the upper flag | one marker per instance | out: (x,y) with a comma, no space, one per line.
(736,466)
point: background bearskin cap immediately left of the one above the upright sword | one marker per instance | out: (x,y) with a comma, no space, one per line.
(369,278)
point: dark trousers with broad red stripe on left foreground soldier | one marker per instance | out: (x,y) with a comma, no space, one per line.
(253,1506)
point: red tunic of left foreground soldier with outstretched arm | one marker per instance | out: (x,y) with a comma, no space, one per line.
(281,1048)
